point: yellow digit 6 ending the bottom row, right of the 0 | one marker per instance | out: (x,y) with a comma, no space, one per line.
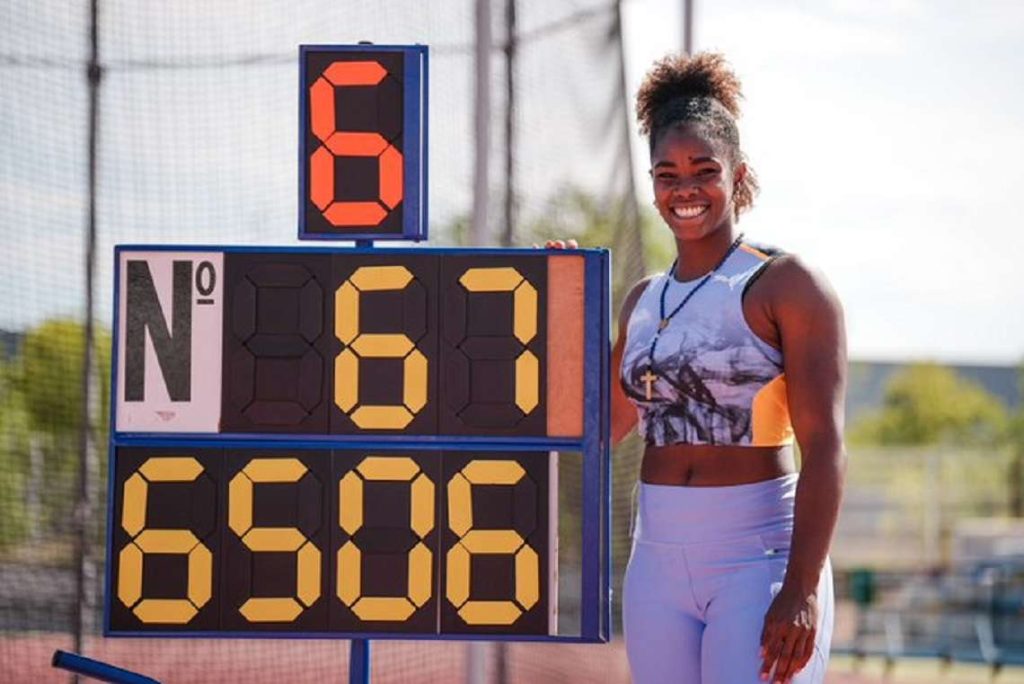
(528,565)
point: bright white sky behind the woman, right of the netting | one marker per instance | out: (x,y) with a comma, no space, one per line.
(888,141)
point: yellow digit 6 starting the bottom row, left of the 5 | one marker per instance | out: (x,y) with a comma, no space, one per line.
(178,542)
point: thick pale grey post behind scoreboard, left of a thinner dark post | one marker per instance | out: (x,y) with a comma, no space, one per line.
(480,234)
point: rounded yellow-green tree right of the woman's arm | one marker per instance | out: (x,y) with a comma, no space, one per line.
(928,404)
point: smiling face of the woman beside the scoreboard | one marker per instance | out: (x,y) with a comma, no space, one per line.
(694,183)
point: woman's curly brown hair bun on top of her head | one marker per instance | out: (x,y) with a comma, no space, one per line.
(677,77)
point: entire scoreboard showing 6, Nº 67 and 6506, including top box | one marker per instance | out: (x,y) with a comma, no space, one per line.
(360,443)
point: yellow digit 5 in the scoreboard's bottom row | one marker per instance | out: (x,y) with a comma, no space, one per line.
(308,557)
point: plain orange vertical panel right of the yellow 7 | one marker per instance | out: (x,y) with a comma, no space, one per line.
(566,346)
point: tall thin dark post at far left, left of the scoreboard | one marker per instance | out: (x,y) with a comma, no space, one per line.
(83,504)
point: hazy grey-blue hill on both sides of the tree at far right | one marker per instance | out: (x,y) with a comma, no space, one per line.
(868,383)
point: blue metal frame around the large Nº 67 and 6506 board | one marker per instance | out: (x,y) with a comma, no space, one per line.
(594,445)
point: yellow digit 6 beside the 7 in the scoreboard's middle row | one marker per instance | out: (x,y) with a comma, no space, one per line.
(365,346)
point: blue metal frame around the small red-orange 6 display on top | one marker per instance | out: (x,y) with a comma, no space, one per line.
(415,156)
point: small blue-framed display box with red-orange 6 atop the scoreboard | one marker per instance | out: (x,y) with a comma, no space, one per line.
(363,143)
